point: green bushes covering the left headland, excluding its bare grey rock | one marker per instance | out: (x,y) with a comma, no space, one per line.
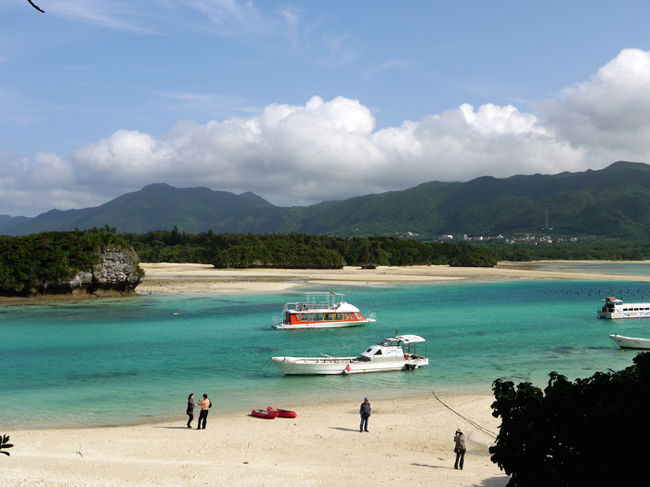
(27,262)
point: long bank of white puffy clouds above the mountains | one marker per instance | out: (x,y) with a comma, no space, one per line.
(331,149)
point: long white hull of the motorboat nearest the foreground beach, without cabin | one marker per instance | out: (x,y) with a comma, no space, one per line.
(342,365)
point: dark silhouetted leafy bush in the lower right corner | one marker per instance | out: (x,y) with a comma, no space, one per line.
(574,433)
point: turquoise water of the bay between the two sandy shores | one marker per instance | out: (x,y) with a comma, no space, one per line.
(130,361)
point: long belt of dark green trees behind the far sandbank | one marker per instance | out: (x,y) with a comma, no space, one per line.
(299,251)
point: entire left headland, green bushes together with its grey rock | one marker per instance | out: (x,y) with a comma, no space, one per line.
(60,262)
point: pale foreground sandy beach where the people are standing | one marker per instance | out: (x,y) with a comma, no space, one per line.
(410,442)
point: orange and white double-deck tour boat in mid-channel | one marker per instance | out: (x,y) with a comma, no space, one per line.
(320,310)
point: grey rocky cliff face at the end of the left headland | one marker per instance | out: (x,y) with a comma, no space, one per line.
(117,271)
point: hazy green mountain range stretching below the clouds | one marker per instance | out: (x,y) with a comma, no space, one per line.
(612,202)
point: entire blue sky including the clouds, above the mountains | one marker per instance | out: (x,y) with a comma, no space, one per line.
(308,101)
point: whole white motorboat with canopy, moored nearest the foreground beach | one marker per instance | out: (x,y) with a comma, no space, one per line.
(392,353)
